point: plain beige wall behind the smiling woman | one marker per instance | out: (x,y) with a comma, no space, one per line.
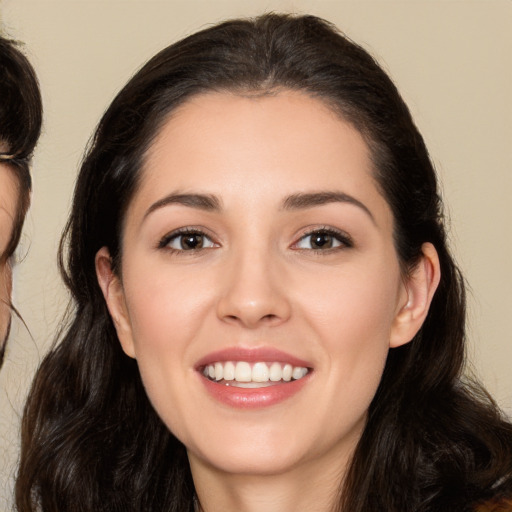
(452,60)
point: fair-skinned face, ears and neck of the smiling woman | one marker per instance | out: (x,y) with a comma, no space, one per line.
(297,256)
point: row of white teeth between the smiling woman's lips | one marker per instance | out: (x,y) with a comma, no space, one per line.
(243,374)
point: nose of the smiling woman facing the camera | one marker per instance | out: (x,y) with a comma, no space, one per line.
(254,293)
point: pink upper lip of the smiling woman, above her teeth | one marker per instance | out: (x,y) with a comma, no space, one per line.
(251,355)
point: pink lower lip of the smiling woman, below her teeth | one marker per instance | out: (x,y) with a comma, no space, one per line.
(253,398)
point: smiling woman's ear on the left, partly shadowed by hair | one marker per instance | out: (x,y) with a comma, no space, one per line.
(113,293)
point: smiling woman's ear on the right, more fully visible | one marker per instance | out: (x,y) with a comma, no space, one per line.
(419,288)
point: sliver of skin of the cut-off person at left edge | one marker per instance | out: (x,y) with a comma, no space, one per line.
(8,201)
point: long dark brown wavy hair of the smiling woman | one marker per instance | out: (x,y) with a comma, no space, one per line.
(90,438)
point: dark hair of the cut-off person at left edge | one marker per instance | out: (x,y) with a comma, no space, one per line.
(21,114)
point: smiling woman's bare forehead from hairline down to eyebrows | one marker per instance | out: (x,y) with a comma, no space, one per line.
(260,148)
